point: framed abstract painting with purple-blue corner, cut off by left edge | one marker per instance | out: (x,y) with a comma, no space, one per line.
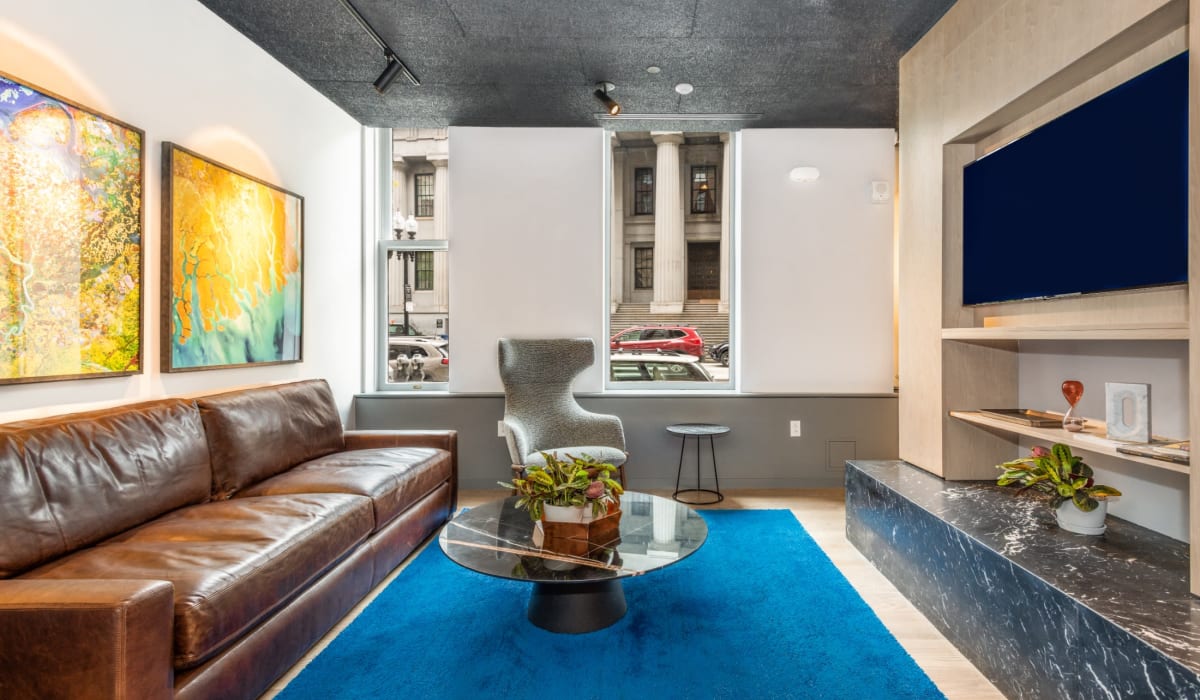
(71,232)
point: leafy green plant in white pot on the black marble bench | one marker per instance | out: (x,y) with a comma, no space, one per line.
(1081,504)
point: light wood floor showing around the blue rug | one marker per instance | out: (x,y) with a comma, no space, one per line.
(824,514)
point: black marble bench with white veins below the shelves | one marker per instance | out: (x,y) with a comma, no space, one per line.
(1041,612)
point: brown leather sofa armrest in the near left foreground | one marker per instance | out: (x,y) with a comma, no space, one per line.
(86,639)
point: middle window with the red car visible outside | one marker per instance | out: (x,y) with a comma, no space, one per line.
(670,333)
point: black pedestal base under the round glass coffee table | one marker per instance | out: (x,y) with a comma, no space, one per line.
(577,608)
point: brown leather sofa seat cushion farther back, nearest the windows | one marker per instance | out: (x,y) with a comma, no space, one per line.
(394,478)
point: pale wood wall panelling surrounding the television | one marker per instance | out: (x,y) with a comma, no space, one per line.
(989,71)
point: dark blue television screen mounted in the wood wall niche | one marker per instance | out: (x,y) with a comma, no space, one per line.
(1093,201)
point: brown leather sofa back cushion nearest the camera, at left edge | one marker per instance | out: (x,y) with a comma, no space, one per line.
(71,481)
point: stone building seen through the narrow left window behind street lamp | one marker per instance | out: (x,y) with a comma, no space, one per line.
(421,188)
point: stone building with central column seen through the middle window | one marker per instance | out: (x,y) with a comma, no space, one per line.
(670,231)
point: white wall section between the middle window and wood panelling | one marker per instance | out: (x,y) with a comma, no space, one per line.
(817,262)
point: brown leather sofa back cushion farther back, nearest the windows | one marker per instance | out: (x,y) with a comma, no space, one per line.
(255,434)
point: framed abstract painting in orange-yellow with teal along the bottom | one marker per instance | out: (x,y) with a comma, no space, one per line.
(233,267)
